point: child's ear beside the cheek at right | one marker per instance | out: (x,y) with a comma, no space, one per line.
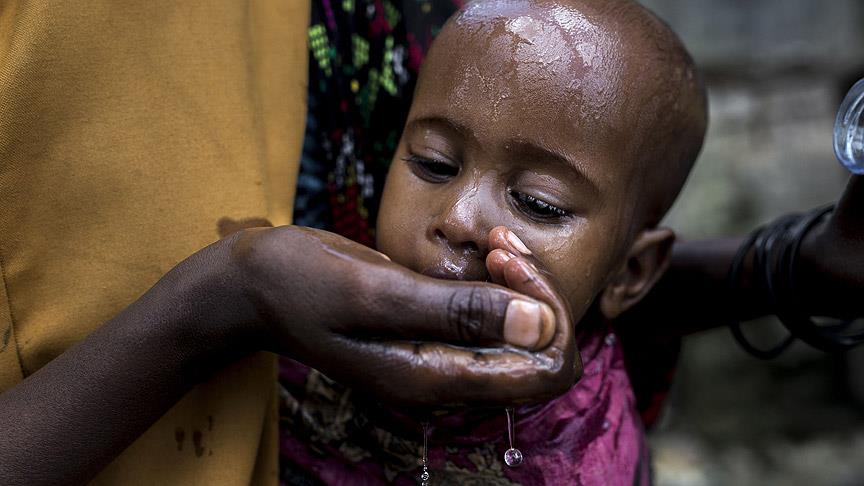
(646,261)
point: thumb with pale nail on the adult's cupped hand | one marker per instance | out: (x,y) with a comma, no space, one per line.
(394,303)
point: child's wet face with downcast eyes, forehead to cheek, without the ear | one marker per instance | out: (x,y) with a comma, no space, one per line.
(517,121)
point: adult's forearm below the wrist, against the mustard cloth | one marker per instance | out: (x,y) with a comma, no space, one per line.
(65,422)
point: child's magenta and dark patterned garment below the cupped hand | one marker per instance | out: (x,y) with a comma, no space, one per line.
(592,435)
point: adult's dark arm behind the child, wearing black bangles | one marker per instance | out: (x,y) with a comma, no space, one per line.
(693,295)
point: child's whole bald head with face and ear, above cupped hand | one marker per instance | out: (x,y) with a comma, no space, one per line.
(573,123)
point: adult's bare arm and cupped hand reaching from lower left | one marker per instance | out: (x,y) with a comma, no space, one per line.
(317,297)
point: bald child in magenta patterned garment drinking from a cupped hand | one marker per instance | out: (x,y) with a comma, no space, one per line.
(545,142)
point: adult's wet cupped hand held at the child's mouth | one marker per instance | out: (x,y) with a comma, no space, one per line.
(349,312)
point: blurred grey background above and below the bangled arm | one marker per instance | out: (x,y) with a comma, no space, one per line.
(776,71)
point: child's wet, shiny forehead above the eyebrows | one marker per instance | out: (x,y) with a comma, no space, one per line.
(545,71)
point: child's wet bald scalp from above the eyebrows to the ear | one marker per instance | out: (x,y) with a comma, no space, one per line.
(611,64)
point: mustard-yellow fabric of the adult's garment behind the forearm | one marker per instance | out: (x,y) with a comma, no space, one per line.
(127,131)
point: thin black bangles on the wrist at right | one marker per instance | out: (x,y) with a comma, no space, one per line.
(776,248)
